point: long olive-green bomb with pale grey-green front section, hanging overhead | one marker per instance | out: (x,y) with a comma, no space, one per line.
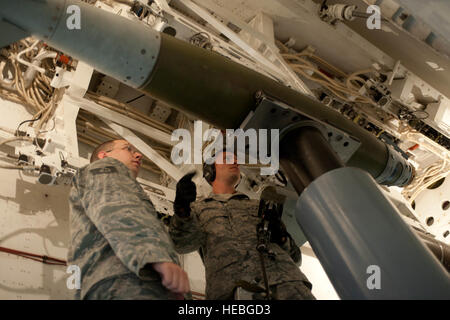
(191,79)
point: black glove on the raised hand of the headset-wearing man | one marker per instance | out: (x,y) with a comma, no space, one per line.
(185,194)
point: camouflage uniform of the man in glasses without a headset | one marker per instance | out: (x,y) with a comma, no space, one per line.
(115,233)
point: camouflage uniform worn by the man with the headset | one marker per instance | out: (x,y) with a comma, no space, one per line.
(224,227)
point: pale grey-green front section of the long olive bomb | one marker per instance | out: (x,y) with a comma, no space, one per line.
(115,46)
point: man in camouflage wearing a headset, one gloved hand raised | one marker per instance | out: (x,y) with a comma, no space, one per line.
(224,227)
